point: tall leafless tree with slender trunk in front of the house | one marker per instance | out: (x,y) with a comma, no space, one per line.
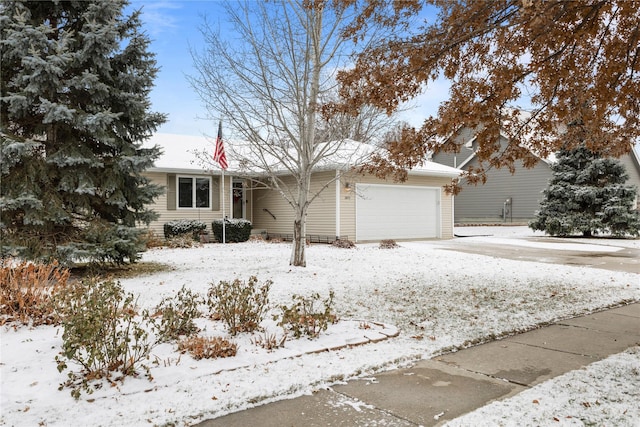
(267,79)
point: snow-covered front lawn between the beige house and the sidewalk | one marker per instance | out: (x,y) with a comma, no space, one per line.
(437,299)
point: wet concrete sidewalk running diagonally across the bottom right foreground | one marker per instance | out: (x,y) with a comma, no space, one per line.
(434,391)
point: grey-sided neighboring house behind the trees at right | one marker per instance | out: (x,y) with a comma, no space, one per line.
(506,197)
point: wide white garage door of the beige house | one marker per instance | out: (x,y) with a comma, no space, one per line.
(396,212)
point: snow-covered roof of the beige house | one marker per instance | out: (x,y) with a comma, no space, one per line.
(189,154)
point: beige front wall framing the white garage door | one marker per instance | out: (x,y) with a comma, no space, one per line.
(348,202)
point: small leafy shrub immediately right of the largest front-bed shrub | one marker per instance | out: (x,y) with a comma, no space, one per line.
(177,314)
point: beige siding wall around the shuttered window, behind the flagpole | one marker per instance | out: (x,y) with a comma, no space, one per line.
(166,215)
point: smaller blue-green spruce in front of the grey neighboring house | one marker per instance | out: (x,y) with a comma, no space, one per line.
(587,194)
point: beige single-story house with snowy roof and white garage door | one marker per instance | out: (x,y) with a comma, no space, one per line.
(355,207)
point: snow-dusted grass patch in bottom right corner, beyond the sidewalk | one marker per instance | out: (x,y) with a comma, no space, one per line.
(603,393)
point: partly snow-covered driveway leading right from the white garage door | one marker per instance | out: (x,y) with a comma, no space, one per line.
(608,254)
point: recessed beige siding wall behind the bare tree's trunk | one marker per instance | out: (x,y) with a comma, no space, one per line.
(321,218)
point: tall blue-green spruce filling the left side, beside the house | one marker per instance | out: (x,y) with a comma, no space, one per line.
(76,77)
